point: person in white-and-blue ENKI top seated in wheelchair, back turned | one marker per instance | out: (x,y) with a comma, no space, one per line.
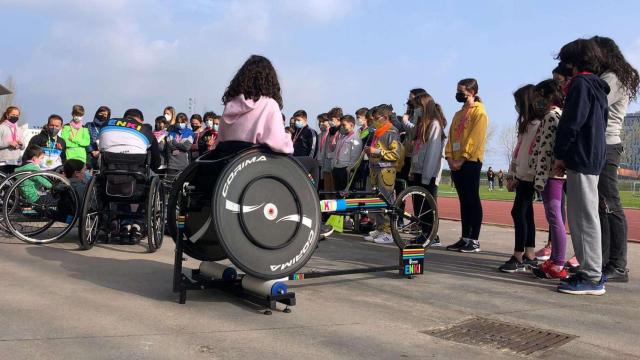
(125,144)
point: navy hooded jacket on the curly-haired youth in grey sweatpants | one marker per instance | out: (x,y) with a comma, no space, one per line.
(580,138)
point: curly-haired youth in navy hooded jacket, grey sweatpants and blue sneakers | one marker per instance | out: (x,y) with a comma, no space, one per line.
(580,150)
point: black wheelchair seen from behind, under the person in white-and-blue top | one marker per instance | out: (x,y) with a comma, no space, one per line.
(121,181)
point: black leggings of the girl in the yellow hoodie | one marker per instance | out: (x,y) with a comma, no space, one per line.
(467,182)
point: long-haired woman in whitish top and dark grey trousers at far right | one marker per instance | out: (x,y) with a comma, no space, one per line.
(624,82)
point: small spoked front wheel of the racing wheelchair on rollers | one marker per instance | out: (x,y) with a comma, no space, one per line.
(415,218)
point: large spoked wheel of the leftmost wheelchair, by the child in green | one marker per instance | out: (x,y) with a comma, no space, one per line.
(32,237)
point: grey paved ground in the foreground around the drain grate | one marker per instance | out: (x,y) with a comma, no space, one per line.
(115,302)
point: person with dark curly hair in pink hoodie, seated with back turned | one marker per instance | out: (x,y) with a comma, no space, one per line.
(252,107)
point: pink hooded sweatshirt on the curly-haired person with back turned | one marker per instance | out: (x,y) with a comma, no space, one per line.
(258,122)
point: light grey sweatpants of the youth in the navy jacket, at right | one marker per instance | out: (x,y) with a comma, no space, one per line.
(584,222)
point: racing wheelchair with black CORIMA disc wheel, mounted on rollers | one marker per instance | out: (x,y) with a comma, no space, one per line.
(261,210)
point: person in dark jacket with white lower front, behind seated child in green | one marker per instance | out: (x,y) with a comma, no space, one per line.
(52,145)
